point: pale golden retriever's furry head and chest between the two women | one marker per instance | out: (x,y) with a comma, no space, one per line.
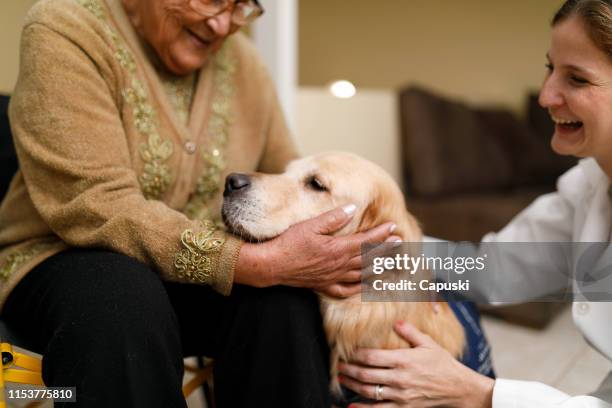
(316,184)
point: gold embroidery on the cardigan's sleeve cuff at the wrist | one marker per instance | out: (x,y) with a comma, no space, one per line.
(194,261)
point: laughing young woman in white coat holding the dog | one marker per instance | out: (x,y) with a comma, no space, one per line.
(577,92)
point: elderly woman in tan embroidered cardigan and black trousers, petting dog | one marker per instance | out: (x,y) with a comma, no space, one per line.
(127,115)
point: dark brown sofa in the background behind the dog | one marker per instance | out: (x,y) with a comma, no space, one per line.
(467,171)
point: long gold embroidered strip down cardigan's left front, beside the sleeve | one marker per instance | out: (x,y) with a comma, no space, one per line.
(156,151)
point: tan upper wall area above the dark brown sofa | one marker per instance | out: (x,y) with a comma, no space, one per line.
(480,51)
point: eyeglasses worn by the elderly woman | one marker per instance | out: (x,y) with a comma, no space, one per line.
(243,11)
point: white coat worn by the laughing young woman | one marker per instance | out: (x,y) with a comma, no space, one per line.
(579,211)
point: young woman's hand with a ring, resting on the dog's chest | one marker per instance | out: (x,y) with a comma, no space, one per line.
(423,376)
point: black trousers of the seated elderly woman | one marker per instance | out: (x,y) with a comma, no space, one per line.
(108,325)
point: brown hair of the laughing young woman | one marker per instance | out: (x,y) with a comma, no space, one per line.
(596,16)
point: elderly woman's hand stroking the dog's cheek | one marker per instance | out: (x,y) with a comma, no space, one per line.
(308,256)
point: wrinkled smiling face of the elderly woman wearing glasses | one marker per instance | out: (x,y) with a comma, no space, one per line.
(182,38)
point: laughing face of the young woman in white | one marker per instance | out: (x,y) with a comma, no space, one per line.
(577,92)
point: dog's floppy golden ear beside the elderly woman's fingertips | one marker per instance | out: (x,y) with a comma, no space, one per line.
(388,205)
